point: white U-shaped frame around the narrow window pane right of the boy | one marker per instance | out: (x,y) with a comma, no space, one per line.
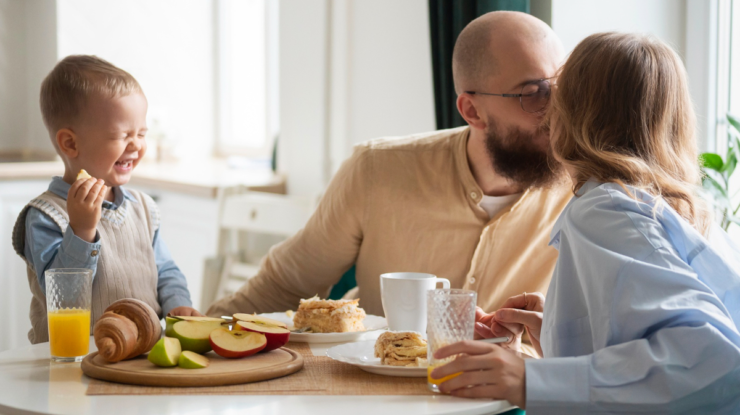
(223,21)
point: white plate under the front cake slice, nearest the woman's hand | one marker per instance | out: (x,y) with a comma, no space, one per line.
(361,354)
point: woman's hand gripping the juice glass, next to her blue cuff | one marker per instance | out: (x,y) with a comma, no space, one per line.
(486,371)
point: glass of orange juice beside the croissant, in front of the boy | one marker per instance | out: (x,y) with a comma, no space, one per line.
(68,298)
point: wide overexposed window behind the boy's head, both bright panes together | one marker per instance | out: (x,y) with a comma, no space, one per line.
(208,68)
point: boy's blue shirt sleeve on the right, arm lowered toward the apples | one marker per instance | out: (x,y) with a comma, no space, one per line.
(172,287)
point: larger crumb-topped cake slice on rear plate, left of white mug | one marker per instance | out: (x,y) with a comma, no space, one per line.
(329,316)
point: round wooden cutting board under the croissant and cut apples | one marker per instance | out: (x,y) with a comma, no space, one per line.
(220,371)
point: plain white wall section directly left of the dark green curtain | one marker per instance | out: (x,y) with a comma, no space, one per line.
(390,69)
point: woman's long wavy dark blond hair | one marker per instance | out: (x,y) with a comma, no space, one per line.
(622,113)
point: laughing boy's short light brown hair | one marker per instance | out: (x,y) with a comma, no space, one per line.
(73,80)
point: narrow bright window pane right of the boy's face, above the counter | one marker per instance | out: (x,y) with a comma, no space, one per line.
(247,77)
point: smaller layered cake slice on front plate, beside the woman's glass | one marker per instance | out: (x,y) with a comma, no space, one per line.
(405,348)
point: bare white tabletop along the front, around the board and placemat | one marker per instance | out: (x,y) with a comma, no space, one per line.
(31,384)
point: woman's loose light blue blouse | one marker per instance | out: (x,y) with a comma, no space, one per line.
(641,315)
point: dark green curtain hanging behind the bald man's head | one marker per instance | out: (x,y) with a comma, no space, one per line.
(447,18)
